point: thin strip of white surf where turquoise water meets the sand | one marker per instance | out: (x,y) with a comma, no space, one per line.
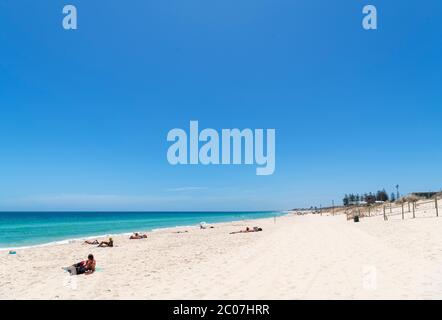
(128,233)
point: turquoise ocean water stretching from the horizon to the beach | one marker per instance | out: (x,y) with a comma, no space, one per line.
(22,229)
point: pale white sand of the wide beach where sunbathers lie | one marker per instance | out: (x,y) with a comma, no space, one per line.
(299,257)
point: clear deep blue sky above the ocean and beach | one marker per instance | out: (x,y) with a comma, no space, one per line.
(84,114)
